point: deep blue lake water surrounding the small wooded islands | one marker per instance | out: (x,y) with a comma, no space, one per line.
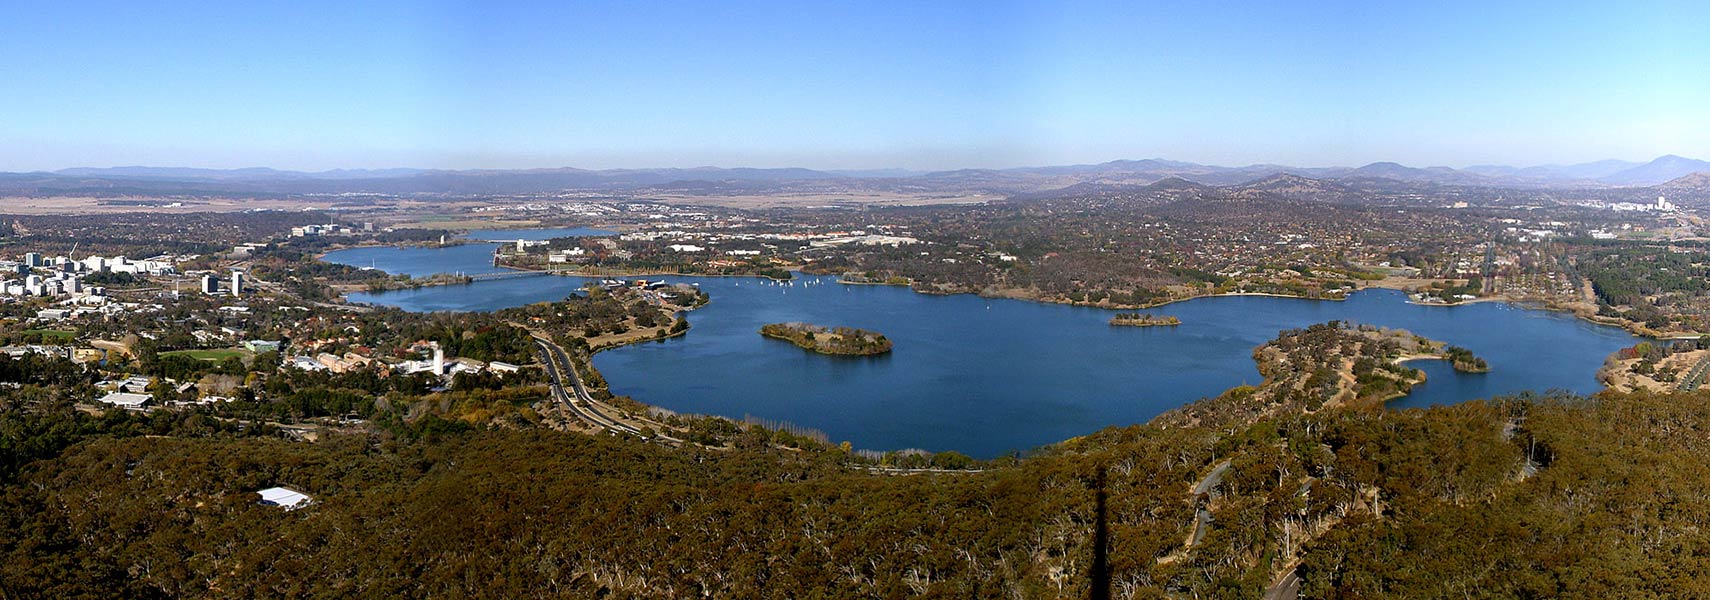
(986,377)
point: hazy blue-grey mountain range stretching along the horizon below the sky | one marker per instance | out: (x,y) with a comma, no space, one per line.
(731,180)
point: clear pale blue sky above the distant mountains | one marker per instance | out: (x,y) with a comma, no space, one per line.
(847,85)
